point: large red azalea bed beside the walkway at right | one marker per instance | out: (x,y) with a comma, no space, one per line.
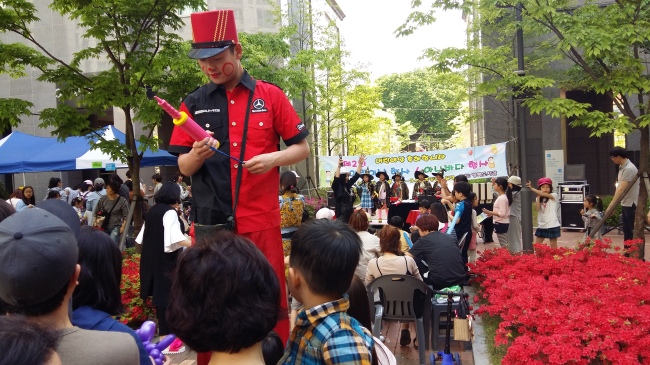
(590,305)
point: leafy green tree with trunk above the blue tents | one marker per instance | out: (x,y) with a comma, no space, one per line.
(139,41)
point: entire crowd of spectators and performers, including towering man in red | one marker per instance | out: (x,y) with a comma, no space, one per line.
(220,284)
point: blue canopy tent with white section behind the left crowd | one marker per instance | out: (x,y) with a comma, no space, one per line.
(20,152)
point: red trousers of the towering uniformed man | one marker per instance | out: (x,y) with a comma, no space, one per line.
(270,243)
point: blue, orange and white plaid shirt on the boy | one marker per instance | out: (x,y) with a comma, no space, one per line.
(326,334)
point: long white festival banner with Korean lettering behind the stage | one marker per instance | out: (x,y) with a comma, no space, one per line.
(479,162)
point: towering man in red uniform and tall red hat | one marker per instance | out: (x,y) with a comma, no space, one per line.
(246,118)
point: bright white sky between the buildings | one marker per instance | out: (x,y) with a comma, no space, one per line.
(368,32)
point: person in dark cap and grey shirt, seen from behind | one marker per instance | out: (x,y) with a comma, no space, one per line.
(38,274)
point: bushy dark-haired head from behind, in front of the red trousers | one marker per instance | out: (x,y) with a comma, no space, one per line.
(225,299)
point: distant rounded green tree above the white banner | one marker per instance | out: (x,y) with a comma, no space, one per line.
(427,99)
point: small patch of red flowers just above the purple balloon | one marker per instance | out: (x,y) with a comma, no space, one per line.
(137,311)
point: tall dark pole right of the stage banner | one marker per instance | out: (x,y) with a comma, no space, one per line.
(526,193)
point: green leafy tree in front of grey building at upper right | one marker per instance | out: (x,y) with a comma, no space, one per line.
(594,46)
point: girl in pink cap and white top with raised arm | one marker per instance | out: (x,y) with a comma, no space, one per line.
(546,203)
